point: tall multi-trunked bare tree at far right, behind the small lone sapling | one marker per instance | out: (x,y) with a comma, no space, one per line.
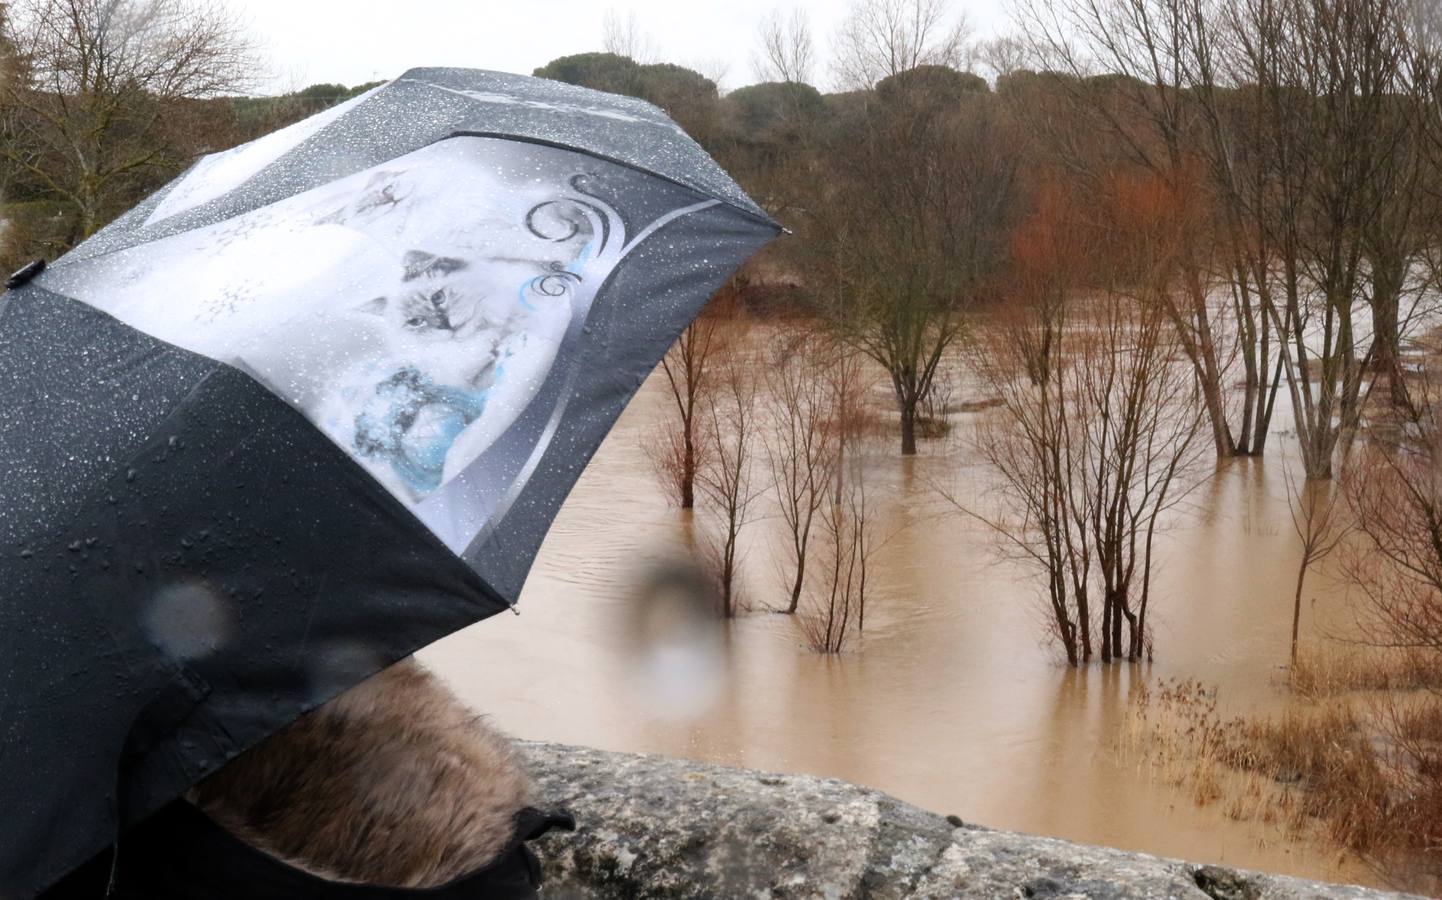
(1329,112)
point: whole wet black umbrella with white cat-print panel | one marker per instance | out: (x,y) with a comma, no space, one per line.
(309,409)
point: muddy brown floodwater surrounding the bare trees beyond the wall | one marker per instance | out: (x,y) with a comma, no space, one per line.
(952,700)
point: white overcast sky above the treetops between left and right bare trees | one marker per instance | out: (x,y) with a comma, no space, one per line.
(357,41)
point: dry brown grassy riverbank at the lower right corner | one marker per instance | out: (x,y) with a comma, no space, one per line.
(1355,764)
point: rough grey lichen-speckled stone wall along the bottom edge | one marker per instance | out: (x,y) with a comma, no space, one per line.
(655,827)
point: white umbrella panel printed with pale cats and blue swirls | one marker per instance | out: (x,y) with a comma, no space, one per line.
(412,340)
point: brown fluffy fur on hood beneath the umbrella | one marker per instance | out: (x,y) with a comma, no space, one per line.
(394,782)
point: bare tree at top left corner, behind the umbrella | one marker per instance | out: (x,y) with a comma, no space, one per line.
(103,84)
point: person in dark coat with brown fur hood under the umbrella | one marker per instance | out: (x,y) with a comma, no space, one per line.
(394,790)
